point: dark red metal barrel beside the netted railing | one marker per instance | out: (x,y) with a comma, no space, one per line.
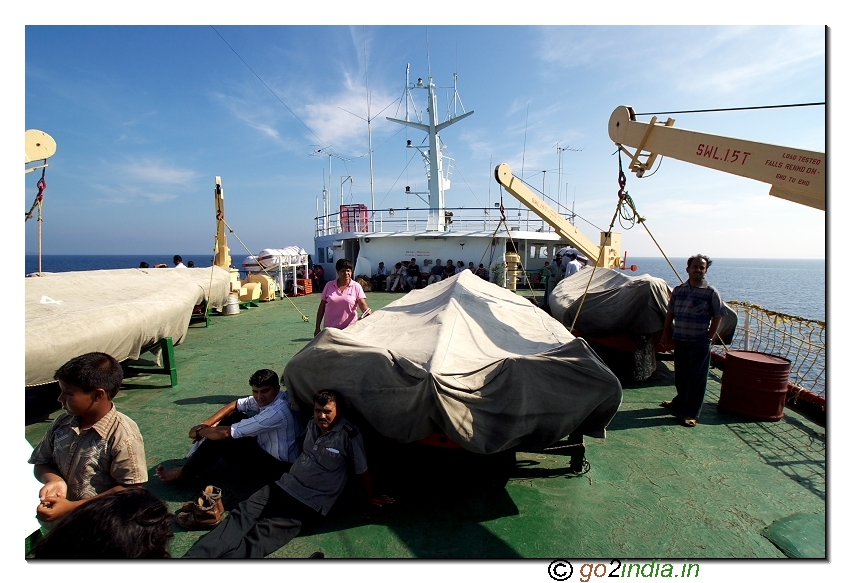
(754,384)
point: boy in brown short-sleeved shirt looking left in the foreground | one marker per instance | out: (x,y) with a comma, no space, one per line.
(91,449)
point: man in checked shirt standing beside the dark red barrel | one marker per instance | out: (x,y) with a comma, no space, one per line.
(697,309)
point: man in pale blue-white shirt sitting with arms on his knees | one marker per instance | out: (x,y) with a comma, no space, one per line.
(264,443)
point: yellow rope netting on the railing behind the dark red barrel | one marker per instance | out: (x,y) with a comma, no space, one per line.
(800,340)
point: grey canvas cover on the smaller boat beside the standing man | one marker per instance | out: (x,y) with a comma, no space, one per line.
(615,304)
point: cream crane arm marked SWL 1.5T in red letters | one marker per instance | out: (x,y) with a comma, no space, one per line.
(794,174)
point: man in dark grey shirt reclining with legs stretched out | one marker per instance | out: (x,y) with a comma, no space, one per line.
(274,515)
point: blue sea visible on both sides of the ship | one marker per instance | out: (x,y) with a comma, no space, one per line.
(796,287)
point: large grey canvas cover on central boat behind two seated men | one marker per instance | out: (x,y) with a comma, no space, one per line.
(466,358)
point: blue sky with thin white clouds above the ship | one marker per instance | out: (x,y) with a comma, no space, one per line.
(146,117)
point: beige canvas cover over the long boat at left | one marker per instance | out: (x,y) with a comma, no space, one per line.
(122,312)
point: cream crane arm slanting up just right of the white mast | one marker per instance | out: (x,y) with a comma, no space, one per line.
(569,232)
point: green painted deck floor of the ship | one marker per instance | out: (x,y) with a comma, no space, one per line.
(654,489)
